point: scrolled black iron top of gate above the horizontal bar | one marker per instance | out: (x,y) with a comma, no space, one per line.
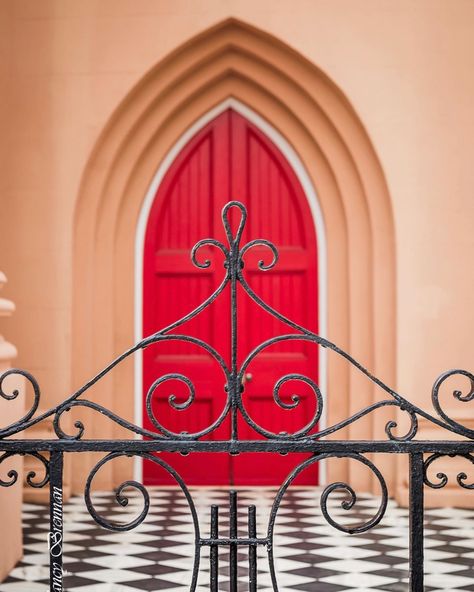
(233,374)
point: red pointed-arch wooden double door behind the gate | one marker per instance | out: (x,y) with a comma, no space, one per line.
(229,159)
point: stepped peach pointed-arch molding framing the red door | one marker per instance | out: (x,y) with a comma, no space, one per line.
(295,97)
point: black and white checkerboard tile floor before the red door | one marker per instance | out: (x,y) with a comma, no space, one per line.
(310,555)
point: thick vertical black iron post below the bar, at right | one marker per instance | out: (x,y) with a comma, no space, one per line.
(416,522)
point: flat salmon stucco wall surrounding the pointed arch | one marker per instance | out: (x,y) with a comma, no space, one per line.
(406,69)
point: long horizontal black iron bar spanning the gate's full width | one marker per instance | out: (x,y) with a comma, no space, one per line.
(235,447)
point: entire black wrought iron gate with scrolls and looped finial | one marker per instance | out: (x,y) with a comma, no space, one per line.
(421,454)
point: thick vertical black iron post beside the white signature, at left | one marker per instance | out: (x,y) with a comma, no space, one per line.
(56,522)
